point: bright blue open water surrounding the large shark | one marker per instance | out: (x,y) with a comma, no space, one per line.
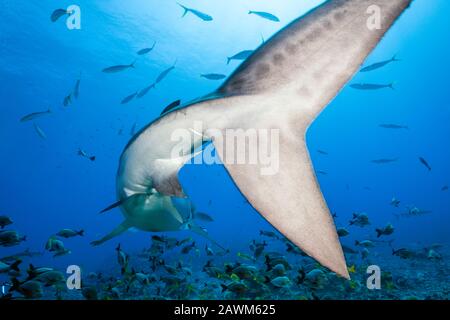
(46,186)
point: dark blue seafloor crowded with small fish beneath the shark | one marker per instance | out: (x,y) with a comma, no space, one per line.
(169,270)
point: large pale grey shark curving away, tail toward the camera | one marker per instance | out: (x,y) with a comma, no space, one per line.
(285,84)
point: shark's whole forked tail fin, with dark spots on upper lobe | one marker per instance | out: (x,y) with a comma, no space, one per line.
(285,84)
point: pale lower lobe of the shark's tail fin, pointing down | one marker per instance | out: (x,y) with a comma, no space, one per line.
(290,199)
